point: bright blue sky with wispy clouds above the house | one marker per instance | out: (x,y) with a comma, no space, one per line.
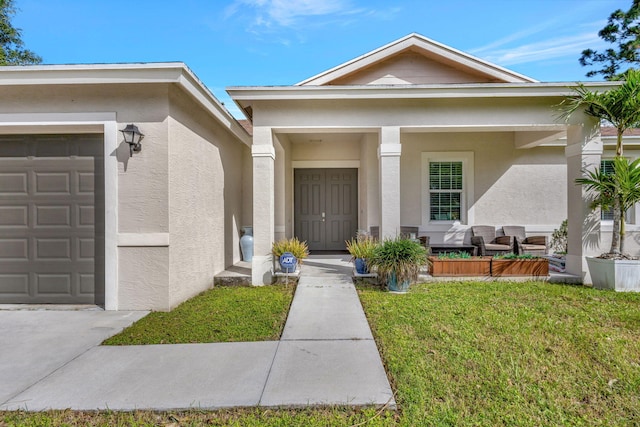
(281,42)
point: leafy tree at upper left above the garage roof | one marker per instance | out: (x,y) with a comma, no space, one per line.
(12,51)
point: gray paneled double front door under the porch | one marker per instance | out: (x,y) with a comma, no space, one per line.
(326,207)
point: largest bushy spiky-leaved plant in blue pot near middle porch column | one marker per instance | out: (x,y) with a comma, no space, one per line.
(398,262)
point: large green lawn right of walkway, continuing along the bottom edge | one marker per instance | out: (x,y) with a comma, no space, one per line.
(467,353)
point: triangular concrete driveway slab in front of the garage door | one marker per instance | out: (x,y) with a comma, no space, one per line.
(36,343)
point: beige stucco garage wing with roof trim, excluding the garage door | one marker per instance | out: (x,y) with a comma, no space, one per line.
(174,217)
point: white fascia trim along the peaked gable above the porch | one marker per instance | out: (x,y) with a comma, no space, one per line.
(420,42)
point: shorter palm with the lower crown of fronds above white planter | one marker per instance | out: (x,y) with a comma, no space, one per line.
(620,188)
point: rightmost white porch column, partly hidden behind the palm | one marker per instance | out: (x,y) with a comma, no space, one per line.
(583,152)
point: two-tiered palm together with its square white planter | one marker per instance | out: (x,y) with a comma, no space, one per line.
(620,107)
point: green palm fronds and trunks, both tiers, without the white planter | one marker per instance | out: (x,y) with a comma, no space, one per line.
(619,106)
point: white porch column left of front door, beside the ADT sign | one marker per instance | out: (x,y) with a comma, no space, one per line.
(264,155)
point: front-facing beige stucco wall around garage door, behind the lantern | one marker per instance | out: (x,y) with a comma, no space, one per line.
(142,180)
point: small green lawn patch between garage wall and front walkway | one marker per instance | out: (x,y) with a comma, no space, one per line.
(221,314)
